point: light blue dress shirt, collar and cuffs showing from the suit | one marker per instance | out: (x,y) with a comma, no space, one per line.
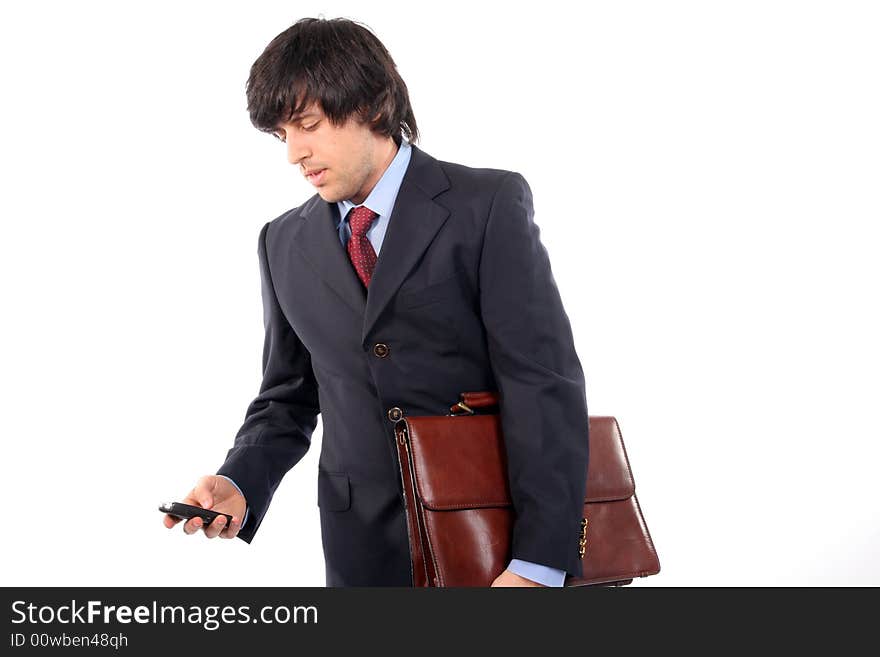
(381,201)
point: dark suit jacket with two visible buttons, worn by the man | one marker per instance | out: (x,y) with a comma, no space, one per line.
(462,299)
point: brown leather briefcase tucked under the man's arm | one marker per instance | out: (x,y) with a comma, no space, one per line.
(460,514)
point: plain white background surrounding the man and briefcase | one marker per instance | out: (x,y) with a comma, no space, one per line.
(705,177)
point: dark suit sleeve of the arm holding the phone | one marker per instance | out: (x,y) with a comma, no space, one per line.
(278,424)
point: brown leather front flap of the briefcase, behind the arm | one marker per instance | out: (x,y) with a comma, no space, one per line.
(468,463)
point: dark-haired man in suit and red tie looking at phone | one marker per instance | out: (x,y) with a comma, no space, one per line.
(403,282)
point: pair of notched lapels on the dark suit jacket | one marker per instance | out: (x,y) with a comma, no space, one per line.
(415,220)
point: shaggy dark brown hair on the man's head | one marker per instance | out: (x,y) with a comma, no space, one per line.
(338,63)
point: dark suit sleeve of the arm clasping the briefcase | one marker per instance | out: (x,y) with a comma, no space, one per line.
(540,382)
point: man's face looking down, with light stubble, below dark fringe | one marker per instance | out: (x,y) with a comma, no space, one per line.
(342,162)
